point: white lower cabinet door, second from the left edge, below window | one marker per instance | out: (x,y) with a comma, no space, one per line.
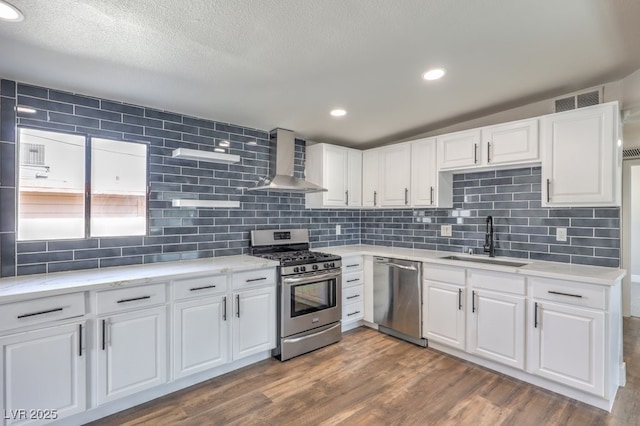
(131,352)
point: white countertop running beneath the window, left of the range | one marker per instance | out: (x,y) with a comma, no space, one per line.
(39,285)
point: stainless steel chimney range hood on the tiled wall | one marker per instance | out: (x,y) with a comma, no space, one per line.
(281,167)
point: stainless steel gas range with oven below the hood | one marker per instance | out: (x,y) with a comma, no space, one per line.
(309,291)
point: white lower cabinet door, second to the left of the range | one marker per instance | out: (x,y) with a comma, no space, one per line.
(200,335)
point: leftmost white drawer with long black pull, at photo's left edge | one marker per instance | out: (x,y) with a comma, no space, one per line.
(44,310)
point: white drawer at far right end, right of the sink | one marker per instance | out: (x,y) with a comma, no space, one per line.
(591,296)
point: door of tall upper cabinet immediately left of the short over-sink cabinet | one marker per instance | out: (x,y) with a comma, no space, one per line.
(424,173)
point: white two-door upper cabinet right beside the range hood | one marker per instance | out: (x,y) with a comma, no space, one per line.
(339,170)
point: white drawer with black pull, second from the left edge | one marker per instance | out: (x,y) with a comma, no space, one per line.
(130,298)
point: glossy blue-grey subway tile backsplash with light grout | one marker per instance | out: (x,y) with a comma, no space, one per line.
(512,197)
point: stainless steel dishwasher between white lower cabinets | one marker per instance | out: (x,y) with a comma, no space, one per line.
(397,298)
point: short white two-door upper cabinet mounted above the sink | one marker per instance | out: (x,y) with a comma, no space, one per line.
(503,144)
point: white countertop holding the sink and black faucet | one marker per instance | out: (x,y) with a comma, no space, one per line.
(555,270)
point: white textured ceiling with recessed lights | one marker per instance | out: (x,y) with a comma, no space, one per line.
(286,63)
